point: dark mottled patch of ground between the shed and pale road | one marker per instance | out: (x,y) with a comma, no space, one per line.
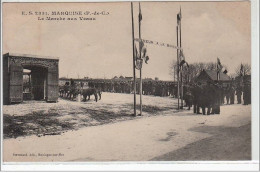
(56,121)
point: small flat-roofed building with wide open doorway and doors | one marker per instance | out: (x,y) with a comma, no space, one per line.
(30,77)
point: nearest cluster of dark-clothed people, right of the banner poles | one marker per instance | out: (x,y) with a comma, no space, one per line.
(211,95)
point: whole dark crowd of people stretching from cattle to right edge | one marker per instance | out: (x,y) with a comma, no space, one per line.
(208,96)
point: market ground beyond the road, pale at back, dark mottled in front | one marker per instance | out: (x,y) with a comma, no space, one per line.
(41,118)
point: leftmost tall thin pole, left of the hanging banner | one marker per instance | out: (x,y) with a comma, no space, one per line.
(133,59)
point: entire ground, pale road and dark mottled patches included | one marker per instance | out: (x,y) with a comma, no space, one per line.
(107,131)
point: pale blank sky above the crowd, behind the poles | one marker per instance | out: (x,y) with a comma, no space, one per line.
(103,48)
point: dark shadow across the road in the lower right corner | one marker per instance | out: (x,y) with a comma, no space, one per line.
(227,143)
